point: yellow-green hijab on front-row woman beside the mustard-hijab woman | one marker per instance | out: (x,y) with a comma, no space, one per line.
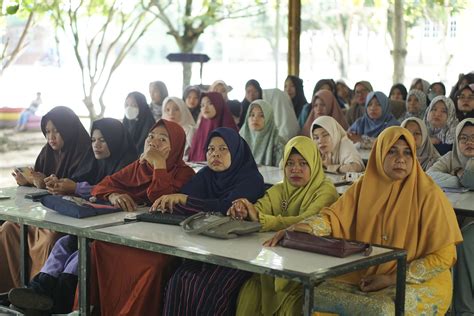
(287,200)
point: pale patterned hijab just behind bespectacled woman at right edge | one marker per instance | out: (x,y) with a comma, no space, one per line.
(445,134)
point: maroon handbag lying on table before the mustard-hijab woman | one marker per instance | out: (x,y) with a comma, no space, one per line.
(330,246)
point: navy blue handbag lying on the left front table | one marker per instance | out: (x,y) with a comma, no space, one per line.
(76,207)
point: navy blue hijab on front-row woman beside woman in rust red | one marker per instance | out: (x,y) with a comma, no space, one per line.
(241,180)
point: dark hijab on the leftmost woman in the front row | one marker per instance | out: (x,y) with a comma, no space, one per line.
(77,145)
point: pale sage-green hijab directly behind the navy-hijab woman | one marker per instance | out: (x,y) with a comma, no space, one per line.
(262,143)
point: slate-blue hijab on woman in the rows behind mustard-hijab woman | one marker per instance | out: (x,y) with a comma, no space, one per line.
(372,128)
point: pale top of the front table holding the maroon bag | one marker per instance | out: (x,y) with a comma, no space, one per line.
(244,252)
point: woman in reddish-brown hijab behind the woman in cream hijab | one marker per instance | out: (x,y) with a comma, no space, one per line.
(324,103)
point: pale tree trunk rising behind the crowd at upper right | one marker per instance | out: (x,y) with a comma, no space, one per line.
(399,39)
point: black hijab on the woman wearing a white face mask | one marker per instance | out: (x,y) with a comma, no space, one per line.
(139,127)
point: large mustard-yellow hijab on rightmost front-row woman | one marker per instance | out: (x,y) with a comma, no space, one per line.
(413,213)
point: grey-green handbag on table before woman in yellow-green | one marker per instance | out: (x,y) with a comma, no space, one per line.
(218,226)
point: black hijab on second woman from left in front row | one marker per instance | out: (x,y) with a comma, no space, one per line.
(122,152)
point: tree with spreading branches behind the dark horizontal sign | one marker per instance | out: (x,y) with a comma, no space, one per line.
(186,22)
